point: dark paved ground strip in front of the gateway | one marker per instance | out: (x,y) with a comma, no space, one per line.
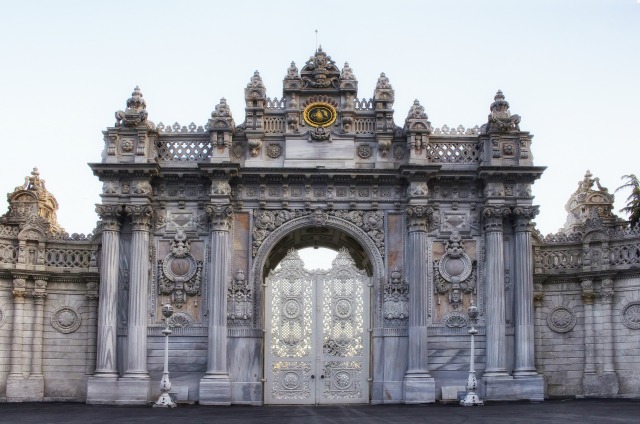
(555,411)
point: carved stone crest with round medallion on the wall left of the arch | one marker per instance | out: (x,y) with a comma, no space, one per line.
(179,273)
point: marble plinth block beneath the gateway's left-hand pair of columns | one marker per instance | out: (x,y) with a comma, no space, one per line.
(118,391)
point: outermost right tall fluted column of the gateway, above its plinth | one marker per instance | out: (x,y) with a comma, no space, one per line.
(523,288)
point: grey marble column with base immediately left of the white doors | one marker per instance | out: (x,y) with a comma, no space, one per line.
(215,386)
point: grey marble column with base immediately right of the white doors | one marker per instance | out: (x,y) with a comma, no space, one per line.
(419,385)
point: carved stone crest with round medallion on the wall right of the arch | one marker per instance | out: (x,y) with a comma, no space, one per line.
(455,272)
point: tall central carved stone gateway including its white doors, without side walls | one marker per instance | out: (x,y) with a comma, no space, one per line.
(429,221)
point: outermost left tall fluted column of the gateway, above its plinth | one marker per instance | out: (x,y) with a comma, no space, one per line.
(108,314)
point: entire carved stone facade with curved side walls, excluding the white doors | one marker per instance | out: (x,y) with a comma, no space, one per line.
(199,216)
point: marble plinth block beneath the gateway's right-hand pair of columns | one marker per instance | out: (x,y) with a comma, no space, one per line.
(509,388)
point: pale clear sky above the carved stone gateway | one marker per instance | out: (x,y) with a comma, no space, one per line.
(570,68)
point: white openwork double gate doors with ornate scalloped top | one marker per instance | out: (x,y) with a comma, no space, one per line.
(317,340)
